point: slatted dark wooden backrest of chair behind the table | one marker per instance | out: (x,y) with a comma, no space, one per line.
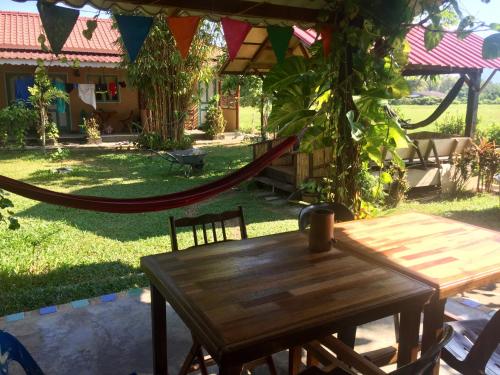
(205,222)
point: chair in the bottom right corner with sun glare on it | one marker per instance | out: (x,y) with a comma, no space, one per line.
(474,347)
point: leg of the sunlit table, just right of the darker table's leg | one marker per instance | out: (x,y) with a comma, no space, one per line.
(433,325)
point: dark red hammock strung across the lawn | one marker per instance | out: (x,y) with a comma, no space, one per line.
(150,204)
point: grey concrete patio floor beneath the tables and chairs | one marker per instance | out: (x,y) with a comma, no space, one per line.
(112,334)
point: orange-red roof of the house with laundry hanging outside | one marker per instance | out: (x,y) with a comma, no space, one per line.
(19,33)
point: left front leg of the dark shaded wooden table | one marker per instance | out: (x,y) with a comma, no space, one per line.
(159,332)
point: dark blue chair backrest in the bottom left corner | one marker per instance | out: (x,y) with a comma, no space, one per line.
(12,350)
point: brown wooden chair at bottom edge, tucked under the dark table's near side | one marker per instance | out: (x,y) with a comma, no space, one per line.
(351,359)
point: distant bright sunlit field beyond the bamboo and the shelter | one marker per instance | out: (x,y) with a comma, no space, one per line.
(488,114)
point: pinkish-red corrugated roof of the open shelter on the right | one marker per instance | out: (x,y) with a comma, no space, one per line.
(451,51)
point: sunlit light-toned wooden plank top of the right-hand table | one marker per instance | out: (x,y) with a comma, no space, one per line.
(449,255)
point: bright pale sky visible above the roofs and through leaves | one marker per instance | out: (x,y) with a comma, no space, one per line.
(489,13)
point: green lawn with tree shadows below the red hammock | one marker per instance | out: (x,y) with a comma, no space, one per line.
(62,254)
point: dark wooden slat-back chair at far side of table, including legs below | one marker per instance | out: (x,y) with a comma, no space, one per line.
(195,360)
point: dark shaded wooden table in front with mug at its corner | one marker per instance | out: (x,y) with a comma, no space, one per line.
(247,299)
